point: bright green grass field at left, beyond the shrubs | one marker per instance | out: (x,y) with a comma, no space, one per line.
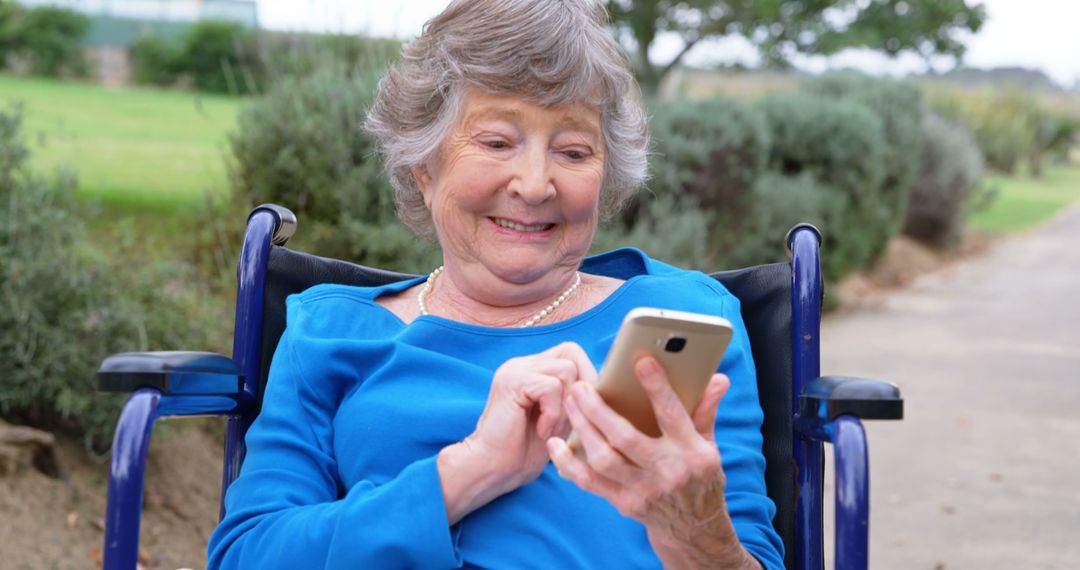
(138,148)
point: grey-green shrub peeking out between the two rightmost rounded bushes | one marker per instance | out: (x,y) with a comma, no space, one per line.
(901,107)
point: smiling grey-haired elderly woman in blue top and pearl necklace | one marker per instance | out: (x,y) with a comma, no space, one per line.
(423,424)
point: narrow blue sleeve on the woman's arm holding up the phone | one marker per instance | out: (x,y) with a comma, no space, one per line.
(739,438)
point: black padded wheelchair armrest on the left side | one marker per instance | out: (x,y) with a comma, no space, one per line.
(172,373)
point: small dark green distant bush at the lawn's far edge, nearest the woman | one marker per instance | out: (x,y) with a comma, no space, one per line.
(221,58)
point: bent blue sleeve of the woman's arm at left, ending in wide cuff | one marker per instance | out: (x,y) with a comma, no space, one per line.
(289,510)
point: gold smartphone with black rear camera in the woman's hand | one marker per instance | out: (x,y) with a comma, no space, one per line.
(688,346)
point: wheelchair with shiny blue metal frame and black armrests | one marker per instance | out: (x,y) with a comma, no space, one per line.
(781,307)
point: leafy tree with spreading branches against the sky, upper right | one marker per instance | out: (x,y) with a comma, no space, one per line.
(781,30)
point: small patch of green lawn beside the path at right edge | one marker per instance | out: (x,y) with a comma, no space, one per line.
(1024,202)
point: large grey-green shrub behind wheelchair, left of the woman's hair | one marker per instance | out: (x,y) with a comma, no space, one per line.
(303,146)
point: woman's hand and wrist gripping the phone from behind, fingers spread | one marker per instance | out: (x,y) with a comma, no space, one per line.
(672,484)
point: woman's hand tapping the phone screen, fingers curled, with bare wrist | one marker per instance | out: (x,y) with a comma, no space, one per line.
(509,449)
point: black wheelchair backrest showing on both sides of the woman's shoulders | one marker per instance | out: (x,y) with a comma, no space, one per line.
(763,291)
